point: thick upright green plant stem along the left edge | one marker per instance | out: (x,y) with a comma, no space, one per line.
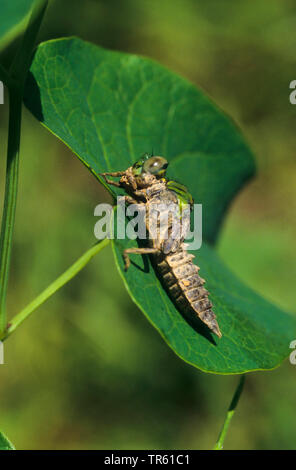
(15,81)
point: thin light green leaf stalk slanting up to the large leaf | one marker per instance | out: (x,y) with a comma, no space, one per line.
(52,288)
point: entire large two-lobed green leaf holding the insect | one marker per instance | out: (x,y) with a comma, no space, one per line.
(109,108)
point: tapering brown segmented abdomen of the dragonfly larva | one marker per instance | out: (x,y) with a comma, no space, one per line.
(185,286)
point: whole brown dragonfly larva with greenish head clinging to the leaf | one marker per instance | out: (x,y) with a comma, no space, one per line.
(146,185)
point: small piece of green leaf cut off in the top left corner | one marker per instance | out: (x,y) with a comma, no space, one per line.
(14,14)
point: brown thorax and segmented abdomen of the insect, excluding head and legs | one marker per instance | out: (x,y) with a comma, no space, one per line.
(179,275)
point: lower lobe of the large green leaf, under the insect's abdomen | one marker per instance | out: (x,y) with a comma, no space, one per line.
(256,334)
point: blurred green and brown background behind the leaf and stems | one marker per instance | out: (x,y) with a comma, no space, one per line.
(87,371)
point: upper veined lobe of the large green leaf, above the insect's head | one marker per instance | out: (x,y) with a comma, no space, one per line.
(109,108)
